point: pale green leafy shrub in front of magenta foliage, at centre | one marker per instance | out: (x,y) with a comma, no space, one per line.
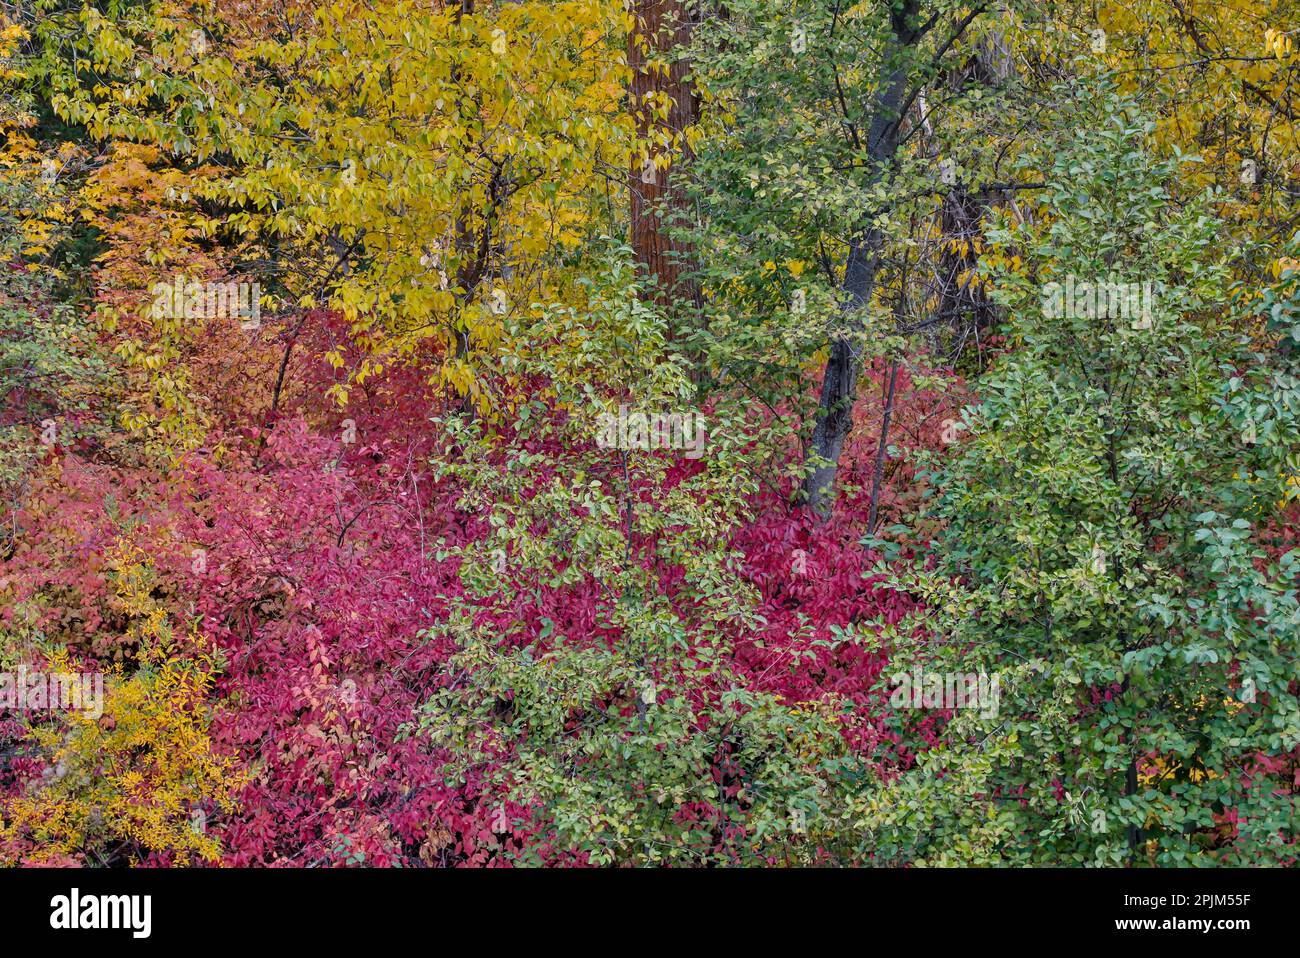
(647,748)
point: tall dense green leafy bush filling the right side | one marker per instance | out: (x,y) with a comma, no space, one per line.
(1103,549)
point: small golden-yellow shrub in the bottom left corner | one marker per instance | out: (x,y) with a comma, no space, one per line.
(144,770)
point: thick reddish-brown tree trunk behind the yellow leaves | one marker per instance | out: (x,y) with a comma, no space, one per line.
(658,28)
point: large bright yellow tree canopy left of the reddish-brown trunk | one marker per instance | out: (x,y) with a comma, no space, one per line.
(421,167)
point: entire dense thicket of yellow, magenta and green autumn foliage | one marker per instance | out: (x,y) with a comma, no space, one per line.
(766,432)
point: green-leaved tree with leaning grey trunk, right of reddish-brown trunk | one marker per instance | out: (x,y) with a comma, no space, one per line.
(818,167)
